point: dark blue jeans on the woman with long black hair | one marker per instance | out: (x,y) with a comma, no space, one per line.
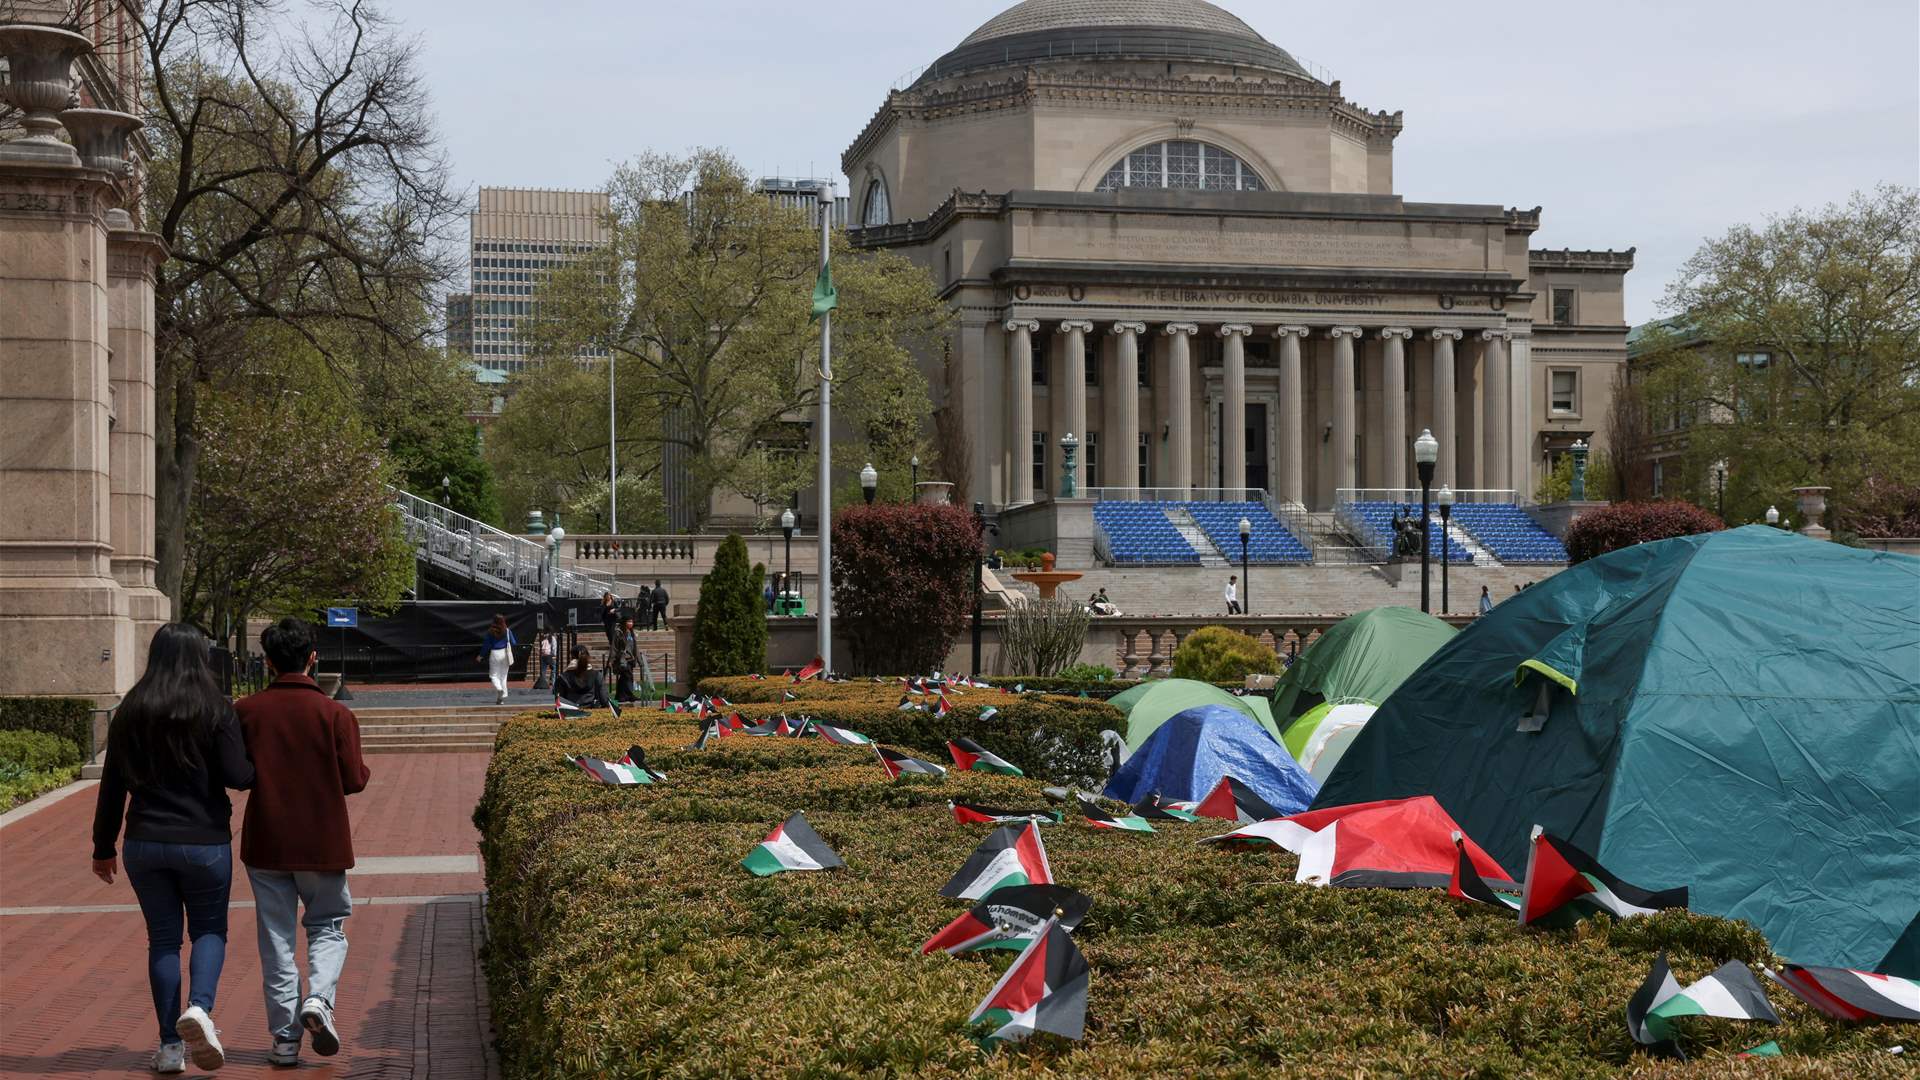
(174,879)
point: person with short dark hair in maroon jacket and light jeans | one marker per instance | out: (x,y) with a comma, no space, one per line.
(297,843)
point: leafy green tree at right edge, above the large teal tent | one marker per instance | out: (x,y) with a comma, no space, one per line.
(1798,355)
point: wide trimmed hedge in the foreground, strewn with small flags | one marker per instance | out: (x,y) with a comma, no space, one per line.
(627,941)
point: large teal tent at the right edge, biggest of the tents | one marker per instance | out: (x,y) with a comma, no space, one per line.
(1733,712)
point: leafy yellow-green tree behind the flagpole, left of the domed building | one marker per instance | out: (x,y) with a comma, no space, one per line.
(702,297)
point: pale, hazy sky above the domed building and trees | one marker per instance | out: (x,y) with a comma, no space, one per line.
(1650,126)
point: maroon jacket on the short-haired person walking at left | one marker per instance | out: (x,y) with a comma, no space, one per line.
(308,762)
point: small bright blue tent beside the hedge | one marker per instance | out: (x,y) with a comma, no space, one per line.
(1195,749)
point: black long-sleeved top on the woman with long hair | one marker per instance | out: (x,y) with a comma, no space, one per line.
(181,806)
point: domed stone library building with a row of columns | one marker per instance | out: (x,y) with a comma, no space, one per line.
(1172,239)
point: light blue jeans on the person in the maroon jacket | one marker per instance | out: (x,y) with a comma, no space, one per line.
(277,898)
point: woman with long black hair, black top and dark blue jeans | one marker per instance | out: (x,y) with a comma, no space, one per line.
(176,747)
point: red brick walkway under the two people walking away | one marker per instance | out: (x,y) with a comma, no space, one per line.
(74,994)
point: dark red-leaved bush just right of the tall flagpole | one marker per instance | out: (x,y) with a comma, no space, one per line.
(903,585)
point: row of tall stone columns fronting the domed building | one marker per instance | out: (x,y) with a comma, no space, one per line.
(1174,410)
